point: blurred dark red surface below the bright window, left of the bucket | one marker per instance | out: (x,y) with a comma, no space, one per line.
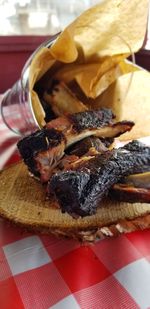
(14,52)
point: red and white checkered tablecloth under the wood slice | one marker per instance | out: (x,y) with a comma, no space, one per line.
(41,272)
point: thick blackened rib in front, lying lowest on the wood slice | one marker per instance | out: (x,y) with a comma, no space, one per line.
(80,191)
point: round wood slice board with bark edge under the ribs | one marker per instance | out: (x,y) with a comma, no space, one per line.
(23,202)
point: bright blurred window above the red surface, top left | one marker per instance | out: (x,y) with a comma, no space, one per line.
(39,17)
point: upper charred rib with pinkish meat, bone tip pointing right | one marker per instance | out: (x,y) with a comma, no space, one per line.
(43,149)
